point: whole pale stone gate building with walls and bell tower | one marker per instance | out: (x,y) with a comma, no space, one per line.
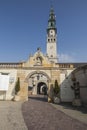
(39,71)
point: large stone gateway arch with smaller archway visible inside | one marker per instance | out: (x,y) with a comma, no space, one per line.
(38,82)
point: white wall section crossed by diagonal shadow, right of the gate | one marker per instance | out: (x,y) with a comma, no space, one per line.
(66,93)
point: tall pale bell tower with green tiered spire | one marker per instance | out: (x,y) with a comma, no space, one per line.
(52,37)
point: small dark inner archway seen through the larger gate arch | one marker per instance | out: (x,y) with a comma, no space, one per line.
(42,88)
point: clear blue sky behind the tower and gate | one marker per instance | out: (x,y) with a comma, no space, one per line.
(23,26)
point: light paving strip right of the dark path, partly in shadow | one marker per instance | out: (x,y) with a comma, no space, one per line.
(79,113)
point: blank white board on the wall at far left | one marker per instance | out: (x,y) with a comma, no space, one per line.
(4,82)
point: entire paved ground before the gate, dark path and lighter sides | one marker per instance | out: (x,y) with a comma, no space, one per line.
(40,115)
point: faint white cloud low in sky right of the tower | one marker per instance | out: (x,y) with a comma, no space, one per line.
(65,58)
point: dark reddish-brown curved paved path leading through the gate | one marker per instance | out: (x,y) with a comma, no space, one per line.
(40,115)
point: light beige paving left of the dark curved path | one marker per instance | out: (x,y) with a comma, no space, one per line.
(11,117)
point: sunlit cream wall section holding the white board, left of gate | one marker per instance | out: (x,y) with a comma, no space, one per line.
(7,84)
